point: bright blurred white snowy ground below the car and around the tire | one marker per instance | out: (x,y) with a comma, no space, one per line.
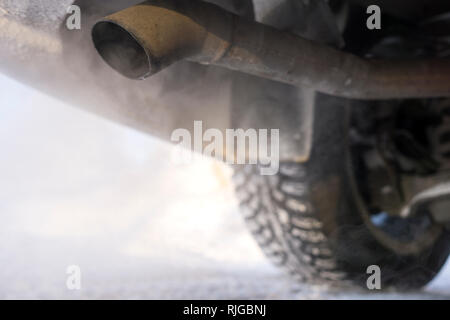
(78,190)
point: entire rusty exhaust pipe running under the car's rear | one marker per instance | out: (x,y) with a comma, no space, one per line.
(144,39)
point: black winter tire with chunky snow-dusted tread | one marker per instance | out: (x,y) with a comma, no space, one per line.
(310,219)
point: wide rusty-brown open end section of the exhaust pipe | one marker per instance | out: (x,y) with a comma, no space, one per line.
(144,39)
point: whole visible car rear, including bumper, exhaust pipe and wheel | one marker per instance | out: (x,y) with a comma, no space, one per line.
(363,113)
